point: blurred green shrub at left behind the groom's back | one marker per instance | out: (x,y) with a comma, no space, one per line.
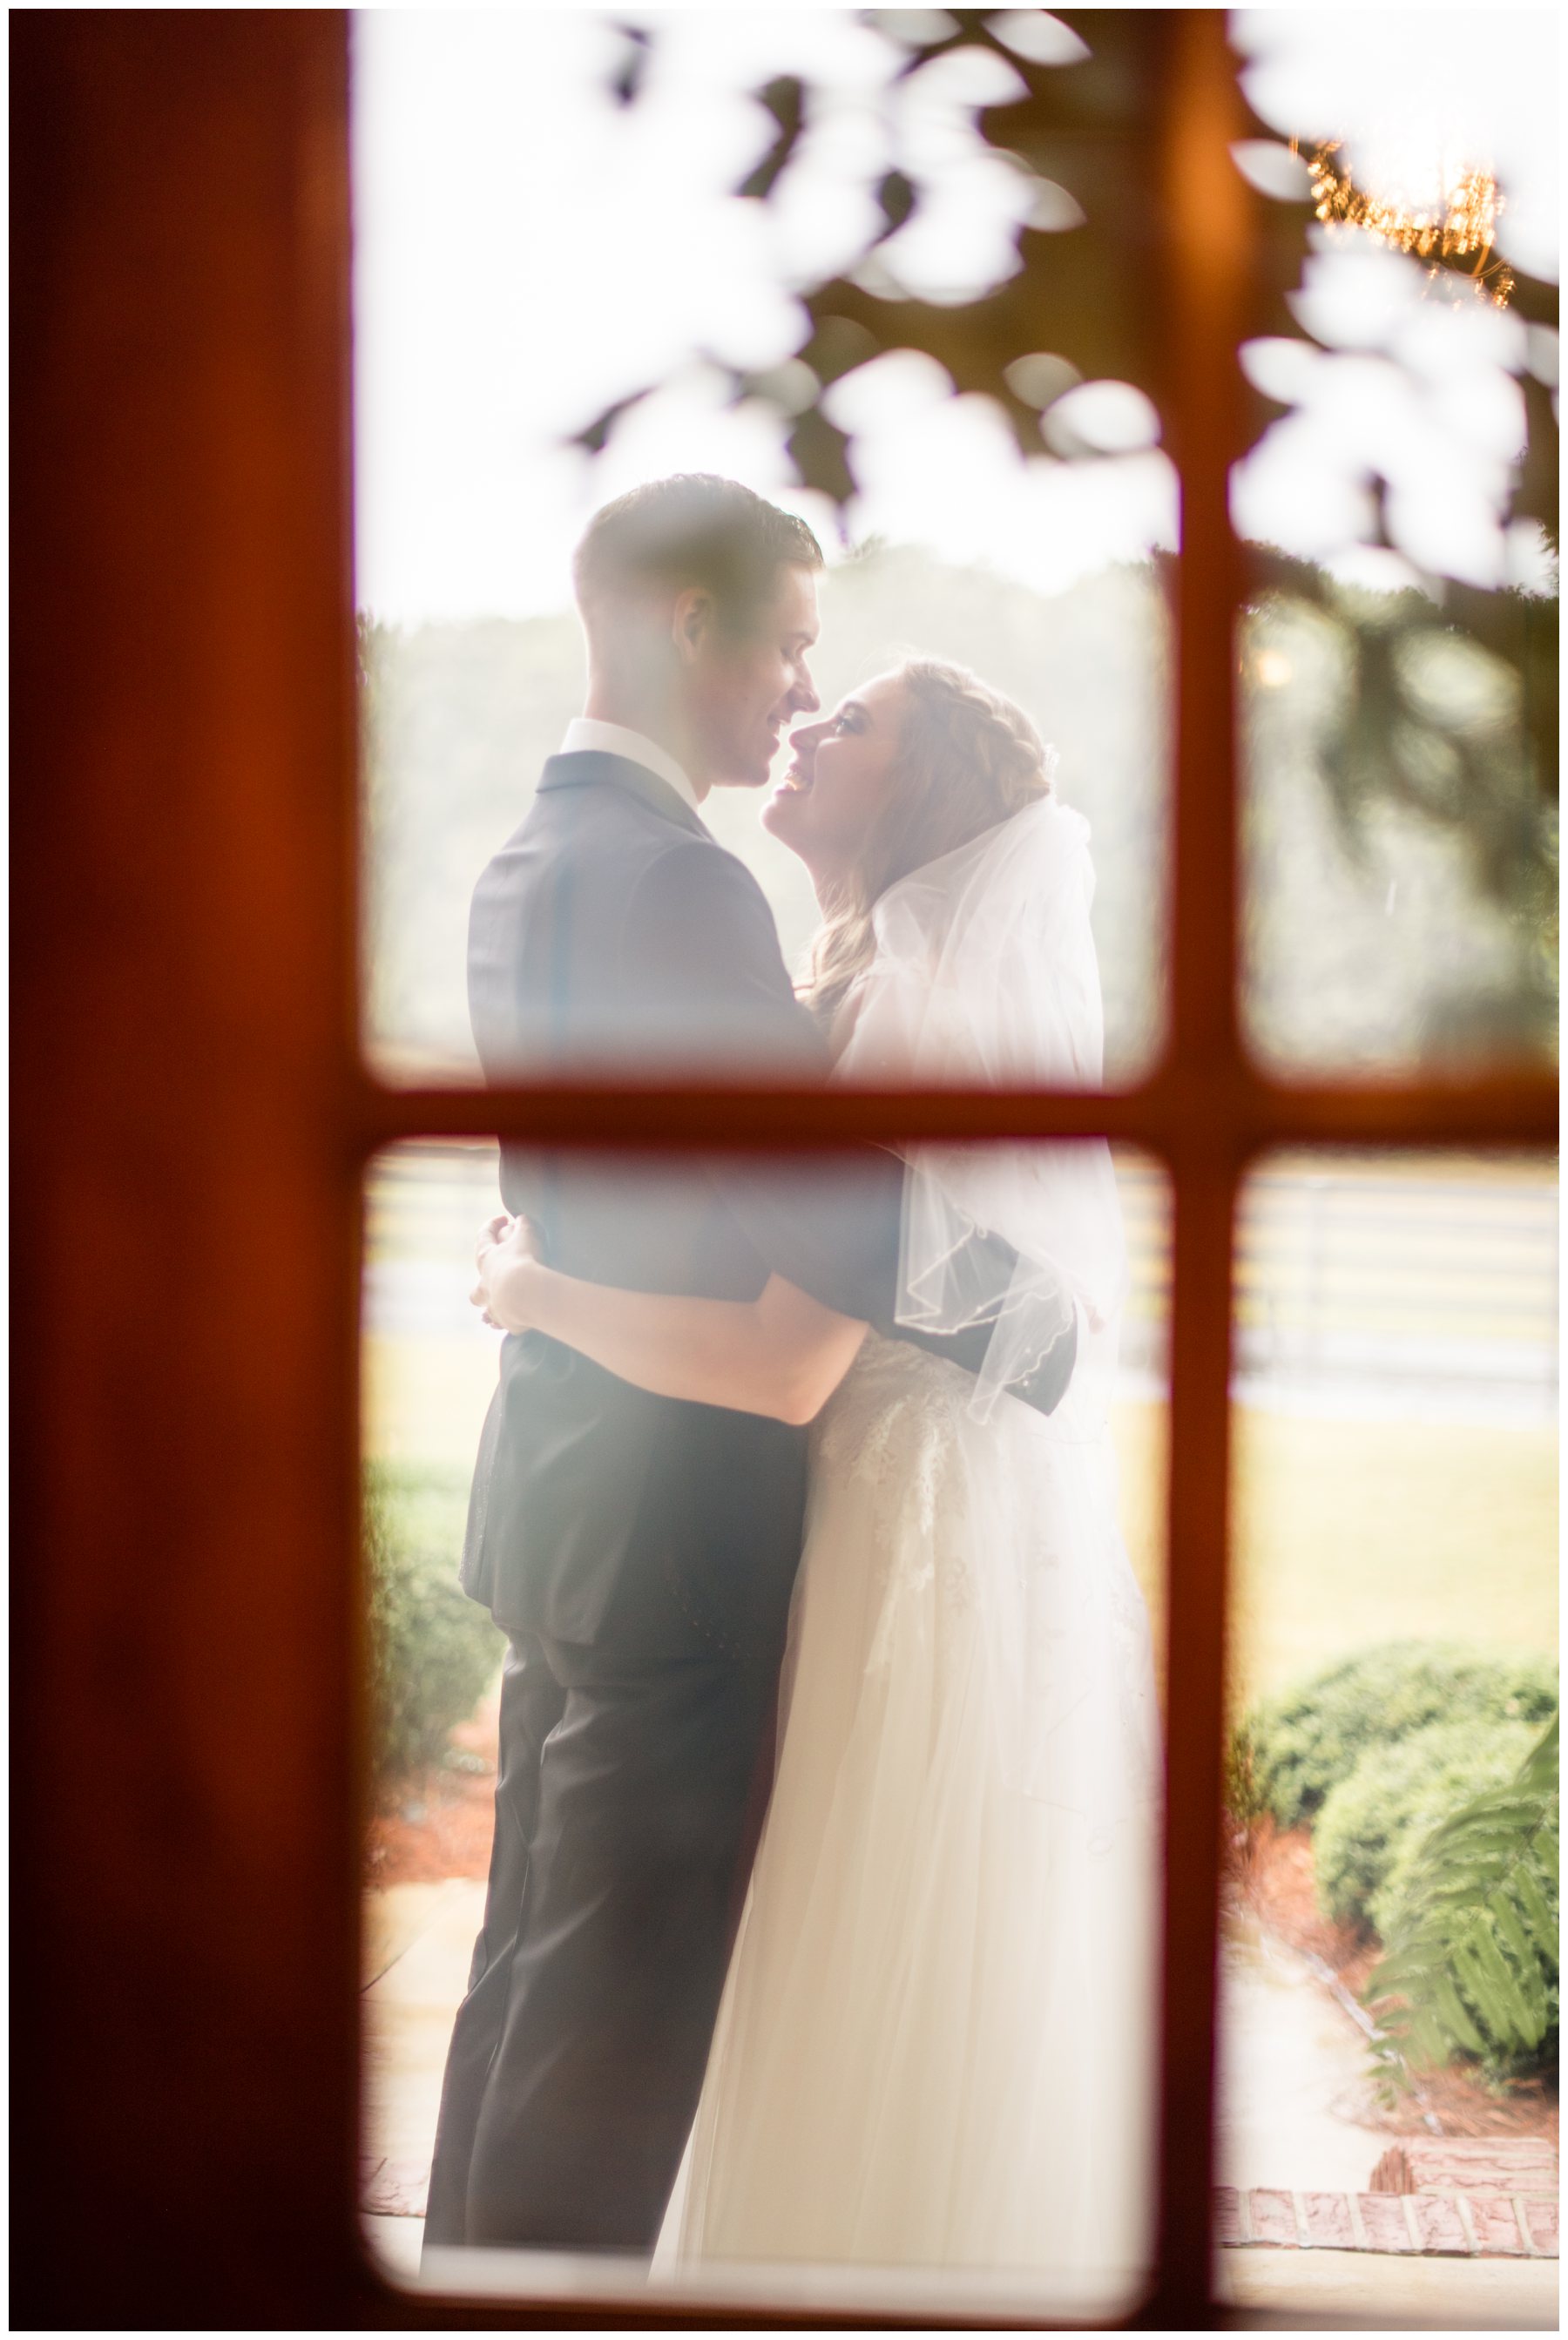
(432,1649)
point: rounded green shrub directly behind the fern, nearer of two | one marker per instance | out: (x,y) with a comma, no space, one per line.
(1373,1824)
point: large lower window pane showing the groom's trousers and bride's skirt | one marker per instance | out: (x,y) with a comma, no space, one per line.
(930,2077)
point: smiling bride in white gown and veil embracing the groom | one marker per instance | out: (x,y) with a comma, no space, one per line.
(935,2042)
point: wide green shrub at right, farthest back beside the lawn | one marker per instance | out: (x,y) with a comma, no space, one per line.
(1298,1747)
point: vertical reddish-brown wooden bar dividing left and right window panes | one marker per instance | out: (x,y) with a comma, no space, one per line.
(1204,266)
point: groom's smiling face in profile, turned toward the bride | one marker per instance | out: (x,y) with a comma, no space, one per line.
(748,680)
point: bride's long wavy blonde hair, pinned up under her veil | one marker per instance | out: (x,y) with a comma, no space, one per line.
(968,759)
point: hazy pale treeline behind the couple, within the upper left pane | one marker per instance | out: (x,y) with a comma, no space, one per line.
(460,724)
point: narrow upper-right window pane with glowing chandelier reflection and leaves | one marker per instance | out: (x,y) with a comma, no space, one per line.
(1401,504)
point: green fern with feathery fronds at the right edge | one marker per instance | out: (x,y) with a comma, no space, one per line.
(1471,1962)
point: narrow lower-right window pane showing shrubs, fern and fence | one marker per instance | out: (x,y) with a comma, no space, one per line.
(1394,1660)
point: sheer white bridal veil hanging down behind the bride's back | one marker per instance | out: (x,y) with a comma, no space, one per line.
(986,977)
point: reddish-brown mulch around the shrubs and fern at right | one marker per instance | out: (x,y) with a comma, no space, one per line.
(1272,1883)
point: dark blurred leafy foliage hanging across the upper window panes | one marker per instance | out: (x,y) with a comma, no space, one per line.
(1082,303)
